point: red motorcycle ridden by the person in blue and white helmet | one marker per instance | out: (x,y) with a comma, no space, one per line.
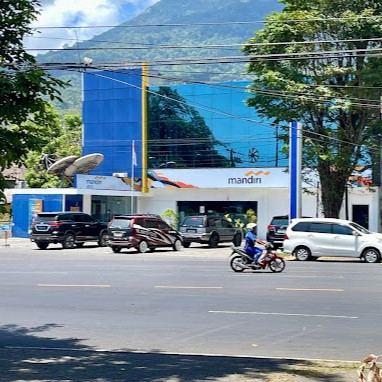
(240,261)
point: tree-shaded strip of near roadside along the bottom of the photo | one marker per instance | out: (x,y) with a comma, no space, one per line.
(27,356)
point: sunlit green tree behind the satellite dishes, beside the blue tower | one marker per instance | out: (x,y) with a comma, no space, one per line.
(66,140)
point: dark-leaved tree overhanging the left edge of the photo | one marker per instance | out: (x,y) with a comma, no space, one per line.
(25,89)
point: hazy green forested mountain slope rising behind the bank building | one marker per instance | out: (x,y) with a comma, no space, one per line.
(188,40)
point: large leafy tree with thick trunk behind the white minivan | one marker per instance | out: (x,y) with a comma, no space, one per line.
(314,63)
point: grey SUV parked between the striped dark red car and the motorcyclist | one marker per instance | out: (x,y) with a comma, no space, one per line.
(208,229)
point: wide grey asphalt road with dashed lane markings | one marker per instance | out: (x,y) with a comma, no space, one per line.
(189,302)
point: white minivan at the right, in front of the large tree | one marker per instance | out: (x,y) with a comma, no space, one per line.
(310,238)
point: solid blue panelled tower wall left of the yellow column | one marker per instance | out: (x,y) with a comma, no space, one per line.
(112,115)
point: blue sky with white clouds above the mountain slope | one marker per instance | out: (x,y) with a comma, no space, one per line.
(80,13)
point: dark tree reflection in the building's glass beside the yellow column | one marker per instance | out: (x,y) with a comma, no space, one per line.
(178,133)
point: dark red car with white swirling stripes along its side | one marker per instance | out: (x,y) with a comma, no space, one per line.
(142,232)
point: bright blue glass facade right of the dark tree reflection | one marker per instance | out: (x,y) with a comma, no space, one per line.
(244,138)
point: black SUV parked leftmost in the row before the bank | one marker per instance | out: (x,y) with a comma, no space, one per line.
(67,228)
